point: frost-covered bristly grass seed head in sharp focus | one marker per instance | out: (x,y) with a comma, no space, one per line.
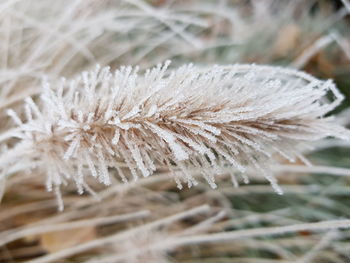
(128,123)
